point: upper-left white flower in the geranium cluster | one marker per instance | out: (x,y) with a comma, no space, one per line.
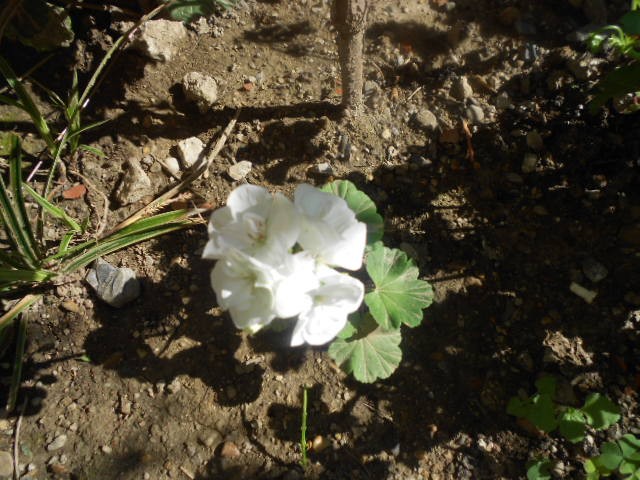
(255,222)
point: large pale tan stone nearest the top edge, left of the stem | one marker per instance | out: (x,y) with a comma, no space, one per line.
(160,39)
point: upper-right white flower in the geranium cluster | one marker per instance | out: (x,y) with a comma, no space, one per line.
(330,230)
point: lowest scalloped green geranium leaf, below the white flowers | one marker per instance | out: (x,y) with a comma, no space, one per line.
(371,353)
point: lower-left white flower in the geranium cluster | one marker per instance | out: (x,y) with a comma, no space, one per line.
(245,287)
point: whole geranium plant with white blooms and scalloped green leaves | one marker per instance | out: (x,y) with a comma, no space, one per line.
(283,259)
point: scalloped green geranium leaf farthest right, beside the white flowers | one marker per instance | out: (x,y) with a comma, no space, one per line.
(399,297)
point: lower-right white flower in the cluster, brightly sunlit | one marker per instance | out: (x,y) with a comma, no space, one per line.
(337,296)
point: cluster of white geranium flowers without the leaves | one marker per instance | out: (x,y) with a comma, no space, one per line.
(275,258)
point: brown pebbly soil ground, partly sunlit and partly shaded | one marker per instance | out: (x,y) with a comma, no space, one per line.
(172,390)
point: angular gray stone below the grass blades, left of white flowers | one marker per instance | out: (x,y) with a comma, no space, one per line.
(115,286)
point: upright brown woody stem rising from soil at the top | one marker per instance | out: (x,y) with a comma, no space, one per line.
(349,18)
